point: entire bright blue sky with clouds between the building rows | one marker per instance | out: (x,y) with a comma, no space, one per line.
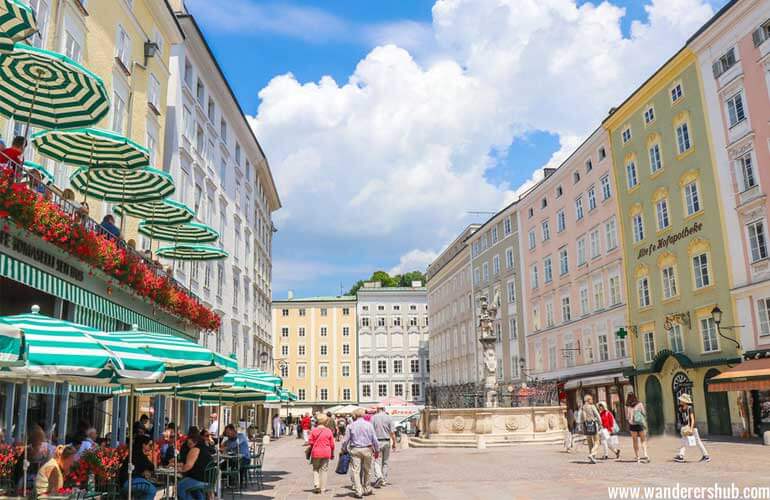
(318,249)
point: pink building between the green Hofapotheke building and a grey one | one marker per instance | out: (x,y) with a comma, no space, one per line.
(573,277)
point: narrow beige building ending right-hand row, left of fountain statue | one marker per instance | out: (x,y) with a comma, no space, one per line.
(452,345)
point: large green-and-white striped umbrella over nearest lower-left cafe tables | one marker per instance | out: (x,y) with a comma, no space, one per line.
(69,351)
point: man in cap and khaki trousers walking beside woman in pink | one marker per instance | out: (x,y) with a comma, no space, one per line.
(361,442)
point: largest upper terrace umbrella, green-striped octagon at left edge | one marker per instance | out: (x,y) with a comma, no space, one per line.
(49,90)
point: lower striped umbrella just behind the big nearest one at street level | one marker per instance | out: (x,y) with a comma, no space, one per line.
(185,361)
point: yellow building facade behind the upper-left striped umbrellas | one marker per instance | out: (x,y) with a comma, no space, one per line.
(127,44)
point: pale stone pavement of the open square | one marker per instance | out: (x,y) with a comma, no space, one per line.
(522,472)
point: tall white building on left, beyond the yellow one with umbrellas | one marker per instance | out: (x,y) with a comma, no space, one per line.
(222,173)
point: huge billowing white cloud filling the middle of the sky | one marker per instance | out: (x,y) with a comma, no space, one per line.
(400,150)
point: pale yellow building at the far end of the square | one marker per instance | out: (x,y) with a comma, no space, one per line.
(315,349)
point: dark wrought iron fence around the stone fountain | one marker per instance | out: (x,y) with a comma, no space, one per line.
(472,395)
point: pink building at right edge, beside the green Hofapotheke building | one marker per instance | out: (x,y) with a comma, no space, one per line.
(734,55)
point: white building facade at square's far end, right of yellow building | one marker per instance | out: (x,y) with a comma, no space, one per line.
(392,343)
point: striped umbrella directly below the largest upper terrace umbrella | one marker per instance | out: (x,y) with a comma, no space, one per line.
(89,147)
